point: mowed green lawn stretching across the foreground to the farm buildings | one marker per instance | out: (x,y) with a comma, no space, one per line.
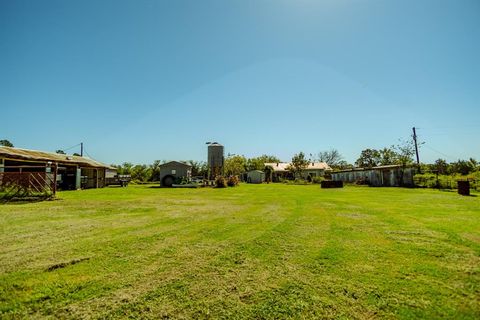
(256,251)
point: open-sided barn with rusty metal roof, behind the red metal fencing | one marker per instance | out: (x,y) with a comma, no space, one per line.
(73,172)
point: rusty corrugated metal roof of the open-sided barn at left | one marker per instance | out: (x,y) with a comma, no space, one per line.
(34,155)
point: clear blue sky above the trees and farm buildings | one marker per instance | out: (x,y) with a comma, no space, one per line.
(144,80)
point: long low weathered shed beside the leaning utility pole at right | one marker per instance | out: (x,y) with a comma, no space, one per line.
(382,176)
